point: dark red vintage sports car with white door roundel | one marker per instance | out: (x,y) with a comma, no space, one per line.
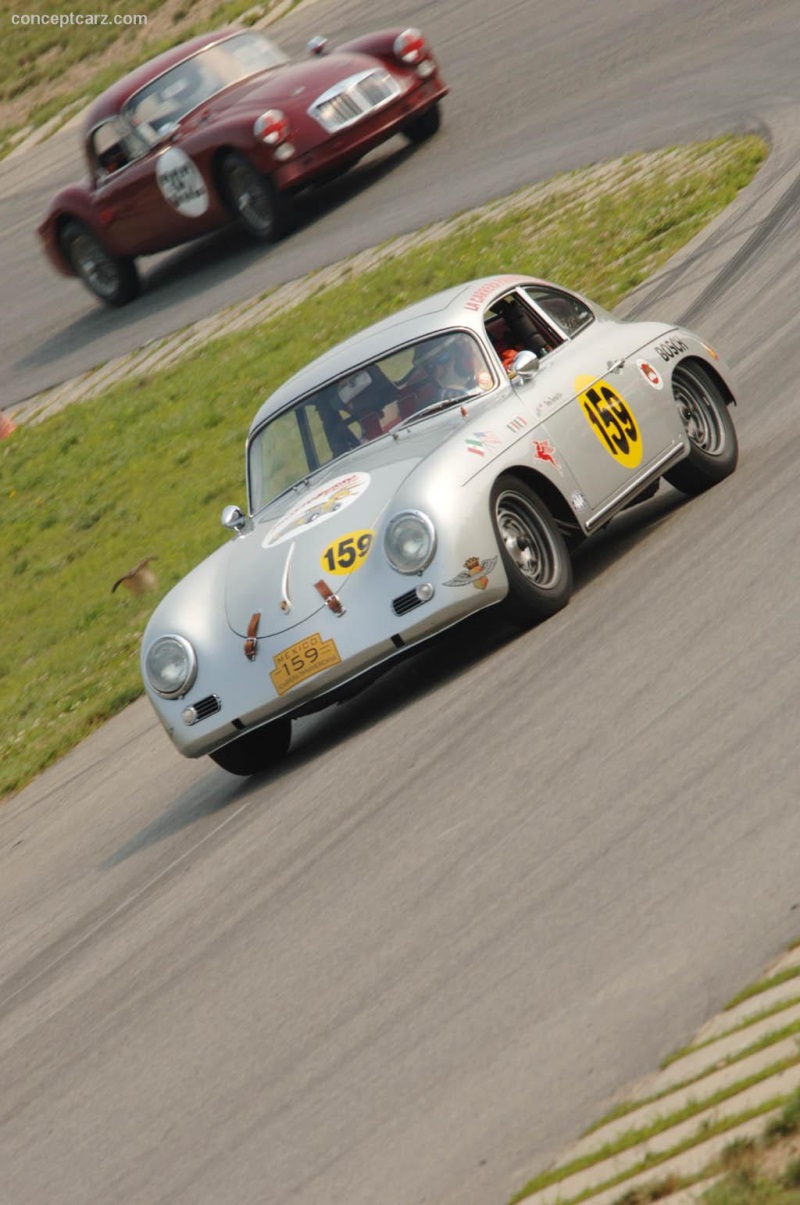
(226,128)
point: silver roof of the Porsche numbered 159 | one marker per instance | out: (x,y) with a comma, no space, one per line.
(461,307)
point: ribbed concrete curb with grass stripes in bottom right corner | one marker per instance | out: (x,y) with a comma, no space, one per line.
(681,1148)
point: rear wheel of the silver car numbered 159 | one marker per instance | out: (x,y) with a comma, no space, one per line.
(713,437)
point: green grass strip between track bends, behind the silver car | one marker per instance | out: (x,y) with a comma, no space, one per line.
(145,469)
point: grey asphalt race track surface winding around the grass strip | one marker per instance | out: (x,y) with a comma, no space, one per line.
(484,898)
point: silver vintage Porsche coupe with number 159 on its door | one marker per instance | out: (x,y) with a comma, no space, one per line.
(443,461)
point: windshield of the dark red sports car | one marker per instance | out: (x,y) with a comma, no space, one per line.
(161,104)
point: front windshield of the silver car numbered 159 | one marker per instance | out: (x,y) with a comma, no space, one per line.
(362,407)
